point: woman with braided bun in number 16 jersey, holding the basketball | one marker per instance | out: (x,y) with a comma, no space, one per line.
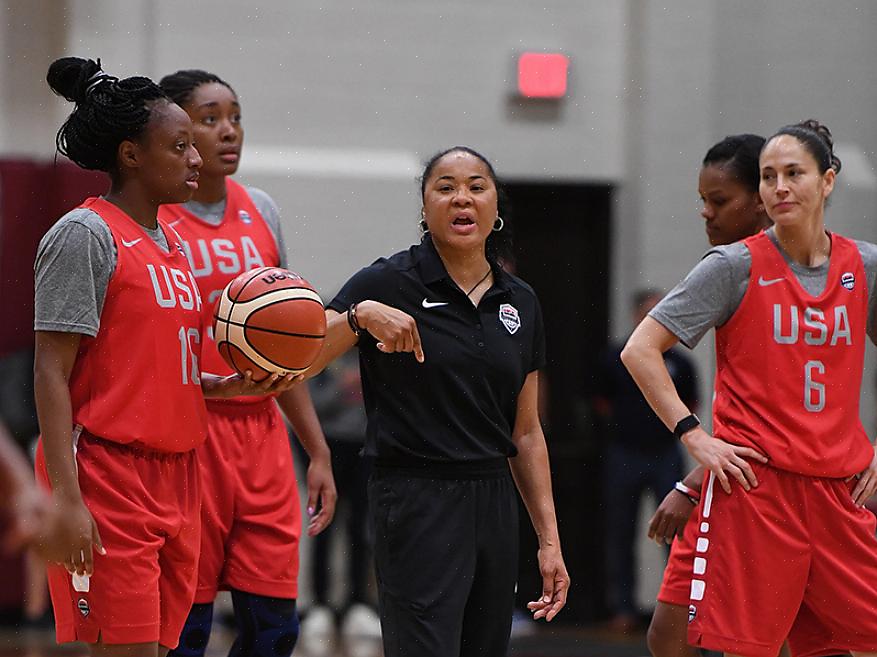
(120,398)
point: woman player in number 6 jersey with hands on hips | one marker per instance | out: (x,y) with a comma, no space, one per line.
(784,546)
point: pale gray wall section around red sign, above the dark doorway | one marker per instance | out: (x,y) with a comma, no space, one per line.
(343,103)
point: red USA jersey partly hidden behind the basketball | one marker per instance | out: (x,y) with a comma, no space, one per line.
(218,253)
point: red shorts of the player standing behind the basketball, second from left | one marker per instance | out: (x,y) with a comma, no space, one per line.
(251,521)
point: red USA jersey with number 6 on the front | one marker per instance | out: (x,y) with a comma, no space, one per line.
(789,365)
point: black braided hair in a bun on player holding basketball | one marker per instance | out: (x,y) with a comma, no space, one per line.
(108,111)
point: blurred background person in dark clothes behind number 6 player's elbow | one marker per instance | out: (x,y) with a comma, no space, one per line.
(641,456)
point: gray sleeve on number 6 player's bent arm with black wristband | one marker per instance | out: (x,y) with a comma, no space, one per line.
(708,296)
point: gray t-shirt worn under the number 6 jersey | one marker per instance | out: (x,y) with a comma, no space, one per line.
(713,290)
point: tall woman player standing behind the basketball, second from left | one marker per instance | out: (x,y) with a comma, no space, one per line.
(251,520)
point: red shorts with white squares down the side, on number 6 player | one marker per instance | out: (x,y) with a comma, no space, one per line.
(794,557)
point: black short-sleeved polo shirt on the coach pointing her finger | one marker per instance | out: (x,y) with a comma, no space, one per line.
(460,404)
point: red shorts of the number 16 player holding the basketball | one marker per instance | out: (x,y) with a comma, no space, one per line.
(145,504)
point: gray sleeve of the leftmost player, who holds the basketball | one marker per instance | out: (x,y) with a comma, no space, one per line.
(74,263)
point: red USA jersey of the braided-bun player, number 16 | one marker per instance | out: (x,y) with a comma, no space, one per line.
(138,380)
